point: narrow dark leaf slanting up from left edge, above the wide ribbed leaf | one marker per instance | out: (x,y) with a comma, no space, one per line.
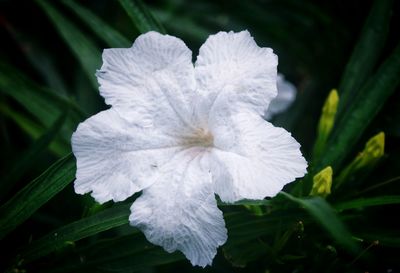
(32,154)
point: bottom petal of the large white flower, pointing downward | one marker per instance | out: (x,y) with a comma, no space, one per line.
(179,211)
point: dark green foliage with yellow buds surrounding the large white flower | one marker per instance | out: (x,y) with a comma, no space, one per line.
(339,218)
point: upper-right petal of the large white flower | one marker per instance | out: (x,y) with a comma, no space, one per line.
(232,62)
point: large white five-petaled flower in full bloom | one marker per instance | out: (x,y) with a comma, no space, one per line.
(182,133)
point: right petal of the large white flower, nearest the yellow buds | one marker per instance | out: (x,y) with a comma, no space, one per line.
(253,159)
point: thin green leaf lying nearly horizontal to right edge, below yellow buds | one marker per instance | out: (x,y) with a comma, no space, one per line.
(368,202)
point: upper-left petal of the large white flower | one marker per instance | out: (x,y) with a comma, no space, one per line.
(152,82)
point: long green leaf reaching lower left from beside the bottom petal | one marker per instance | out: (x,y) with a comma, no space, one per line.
(104,220)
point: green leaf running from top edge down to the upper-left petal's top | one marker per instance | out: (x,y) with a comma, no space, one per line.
(141,16)
